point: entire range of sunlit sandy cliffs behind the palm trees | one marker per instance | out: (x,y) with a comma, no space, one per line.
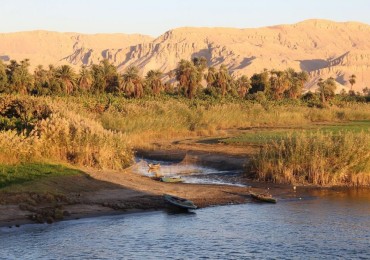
(322,48)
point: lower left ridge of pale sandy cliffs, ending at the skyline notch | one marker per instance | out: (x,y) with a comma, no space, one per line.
(44,47)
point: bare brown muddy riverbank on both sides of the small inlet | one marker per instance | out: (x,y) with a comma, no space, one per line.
(106,192)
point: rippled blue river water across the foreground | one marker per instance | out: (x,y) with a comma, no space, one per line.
(311,224)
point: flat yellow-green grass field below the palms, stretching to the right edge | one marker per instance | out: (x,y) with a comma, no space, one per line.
(144,122)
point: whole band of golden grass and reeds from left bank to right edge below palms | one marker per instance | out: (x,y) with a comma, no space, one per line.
(99,131)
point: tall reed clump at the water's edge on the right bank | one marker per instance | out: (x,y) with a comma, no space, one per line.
(321,158)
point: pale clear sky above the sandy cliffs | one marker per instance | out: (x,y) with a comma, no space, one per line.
(154,17)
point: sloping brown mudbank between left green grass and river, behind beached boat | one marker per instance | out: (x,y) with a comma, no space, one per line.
(103,193)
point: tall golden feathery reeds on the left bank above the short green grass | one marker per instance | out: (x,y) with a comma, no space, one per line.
(63,136)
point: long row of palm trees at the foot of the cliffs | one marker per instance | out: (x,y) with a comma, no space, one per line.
(192,79)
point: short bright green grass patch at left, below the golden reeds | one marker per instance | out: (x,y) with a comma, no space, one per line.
(23,173)
